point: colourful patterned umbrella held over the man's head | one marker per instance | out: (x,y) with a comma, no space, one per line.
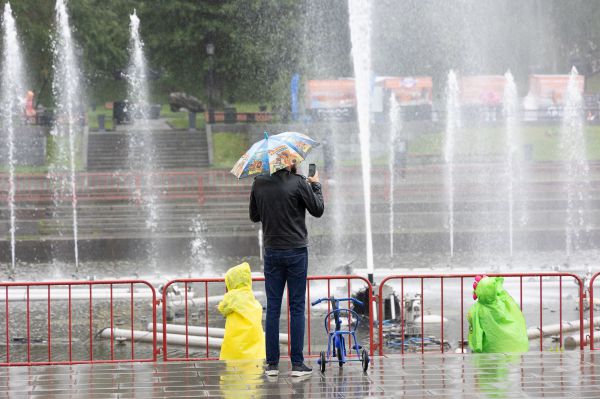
(274,153)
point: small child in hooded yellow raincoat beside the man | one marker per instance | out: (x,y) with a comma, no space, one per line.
(244,335)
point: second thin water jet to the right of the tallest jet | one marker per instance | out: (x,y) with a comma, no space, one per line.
(453,122)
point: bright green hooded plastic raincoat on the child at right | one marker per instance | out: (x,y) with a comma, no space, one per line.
(496,323)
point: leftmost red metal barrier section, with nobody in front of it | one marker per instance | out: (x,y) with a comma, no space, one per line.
(71,311)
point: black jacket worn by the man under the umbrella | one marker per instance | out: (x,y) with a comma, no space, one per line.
(279,201)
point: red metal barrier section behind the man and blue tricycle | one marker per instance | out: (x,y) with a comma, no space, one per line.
(213,289)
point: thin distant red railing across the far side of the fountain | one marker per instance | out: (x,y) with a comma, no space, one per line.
(177,185)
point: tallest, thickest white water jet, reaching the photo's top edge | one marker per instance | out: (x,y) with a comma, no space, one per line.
(360,33)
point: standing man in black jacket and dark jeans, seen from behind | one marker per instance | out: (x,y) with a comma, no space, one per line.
(280,201)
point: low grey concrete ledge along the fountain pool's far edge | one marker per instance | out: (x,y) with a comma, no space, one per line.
(242,244)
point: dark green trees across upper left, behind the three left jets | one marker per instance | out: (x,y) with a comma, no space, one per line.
(258,44)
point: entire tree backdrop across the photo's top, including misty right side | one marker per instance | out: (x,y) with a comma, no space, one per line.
(260,44)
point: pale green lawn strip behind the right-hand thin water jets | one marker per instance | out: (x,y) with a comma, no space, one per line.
(545,142)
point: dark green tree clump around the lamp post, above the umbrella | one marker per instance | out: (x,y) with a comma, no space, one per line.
(256,44)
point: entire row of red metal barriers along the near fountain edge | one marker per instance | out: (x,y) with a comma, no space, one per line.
(38,314)
